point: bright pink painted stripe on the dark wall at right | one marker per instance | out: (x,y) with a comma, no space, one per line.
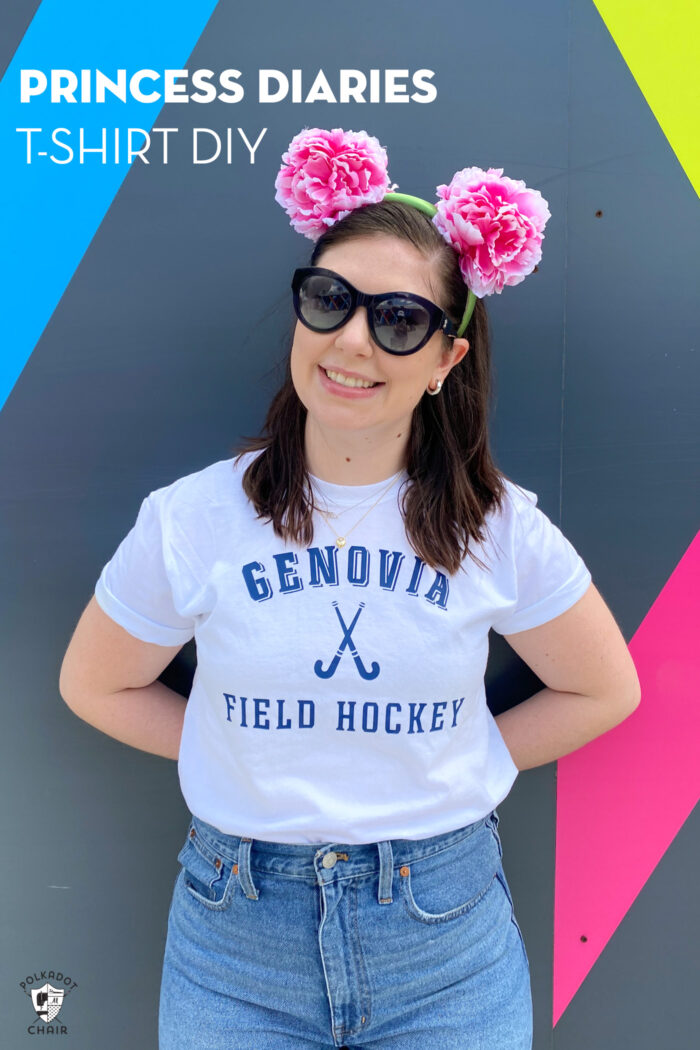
(622,800)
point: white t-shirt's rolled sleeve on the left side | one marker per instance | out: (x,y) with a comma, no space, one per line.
(149,586)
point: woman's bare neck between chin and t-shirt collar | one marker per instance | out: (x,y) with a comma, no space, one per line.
(347,458)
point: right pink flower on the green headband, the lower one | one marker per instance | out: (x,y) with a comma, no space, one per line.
(497,226)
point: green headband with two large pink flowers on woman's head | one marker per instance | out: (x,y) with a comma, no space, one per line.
(495,223)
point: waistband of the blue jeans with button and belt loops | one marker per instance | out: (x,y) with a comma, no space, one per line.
(322,863)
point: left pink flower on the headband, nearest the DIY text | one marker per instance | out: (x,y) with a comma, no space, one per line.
(327,175)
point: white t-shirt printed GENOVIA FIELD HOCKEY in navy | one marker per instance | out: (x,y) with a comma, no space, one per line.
(340,692)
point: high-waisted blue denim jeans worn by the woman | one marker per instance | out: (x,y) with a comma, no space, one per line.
(396,946)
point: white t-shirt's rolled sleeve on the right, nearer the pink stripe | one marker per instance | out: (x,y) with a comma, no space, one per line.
(549,575)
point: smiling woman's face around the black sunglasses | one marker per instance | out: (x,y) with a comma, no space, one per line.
(373,265)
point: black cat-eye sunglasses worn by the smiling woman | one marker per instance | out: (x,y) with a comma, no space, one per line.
(400,323)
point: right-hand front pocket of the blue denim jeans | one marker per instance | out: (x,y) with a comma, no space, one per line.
(449,885)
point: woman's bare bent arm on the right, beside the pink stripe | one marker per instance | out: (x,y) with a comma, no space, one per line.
(590,678)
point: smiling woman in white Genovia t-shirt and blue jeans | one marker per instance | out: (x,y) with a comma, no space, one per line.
(342,879)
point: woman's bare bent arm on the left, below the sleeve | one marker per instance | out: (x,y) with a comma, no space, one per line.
(109,679)
